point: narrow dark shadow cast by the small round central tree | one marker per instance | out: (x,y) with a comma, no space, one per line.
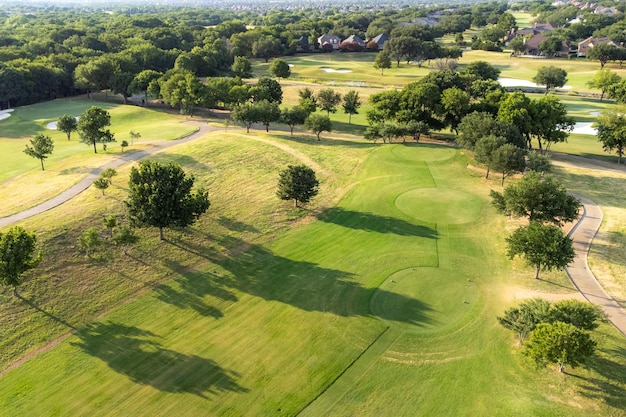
(374,223)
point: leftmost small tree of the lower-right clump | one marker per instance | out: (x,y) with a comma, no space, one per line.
(524,318)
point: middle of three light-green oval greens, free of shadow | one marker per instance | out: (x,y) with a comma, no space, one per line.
(440,205)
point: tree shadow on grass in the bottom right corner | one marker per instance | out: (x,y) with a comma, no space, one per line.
(610,385)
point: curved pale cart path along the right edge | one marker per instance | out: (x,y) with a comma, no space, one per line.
(583,233)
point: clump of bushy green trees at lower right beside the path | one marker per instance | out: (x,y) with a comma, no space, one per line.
(554,333)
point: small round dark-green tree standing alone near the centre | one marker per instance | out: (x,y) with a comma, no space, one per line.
(297,183)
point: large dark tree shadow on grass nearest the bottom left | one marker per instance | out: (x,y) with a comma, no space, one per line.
(135,353)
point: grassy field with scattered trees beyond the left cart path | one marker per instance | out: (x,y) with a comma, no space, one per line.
(71,160)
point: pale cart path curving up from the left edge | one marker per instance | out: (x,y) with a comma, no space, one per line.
(83,184)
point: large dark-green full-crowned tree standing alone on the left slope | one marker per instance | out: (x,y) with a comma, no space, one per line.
(161,196)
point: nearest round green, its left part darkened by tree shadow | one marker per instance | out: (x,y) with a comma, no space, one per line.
(423,299)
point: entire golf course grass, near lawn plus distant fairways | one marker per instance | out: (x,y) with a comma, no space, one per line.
(379,297)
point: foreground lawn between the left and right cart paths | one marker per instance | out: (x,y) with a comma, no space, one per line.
(380,298)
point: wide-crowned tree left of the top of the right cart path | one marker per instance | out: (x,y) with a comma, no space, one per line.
(540,199)
